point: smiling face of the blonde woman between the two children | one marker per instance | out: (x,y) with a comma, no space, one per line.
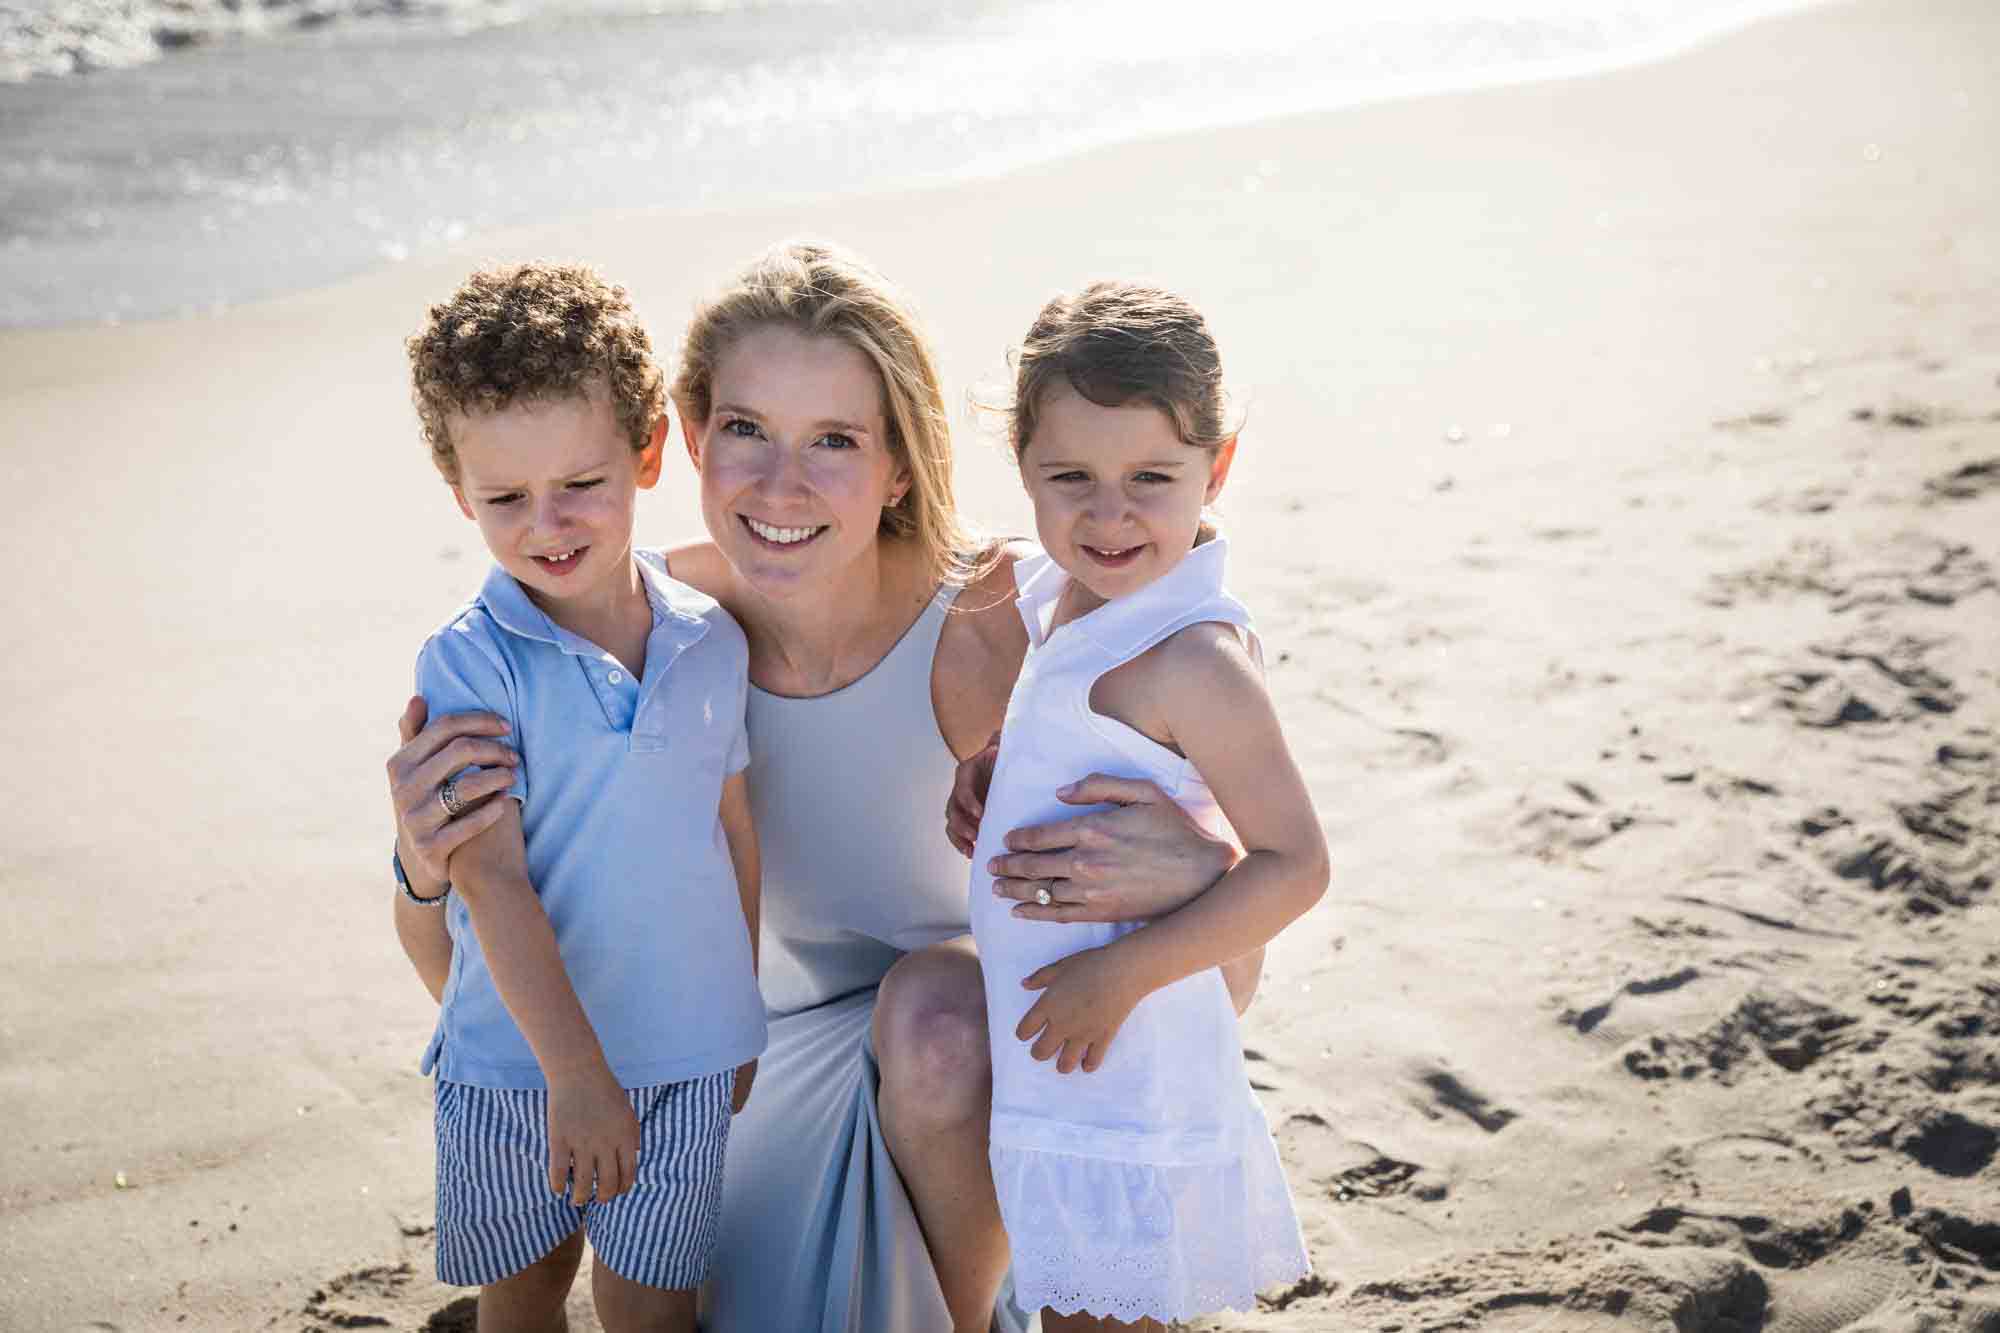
(795,459)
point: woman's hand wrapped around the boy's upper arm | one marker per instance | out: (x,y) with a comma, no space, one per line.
(425,834)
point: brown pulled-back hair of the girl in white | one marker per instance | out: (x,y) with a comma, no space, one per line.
(1119,343)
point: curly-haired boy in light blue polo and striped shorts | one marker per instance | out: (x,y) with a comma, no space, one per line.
(599,1006)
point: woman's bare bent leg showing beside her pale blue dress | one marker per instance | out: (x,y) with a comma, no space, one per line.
(935,1106)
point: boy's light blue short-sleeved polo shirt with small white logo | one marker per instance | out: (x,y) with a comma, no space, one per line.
(619,792)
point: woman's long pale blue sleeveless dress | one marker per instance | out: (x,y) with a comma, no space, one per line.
(849,796)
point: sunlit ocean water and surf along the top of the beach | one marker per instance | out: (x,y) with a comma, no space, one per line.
(161,157)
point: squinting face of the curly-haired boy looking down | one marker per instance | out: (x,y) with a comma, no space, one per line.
(553,487)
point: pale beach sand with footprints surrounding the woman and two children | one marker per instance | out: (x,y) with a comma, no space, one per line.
(1621,501)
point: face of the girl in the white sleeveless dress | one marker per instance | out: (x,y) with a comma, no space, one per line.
(1117,495)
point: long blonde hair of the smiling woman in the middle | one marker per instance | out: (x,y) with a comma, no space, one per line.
(827,293)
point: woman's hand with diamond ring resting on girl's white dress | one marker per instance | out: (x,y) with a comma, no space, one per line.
(1131,864)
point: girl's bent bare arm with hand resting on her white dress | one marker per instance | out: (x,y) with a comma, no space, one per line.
(1213,700)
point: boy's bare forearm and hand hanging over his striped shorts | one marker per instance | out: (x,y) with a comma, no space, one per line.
(593,1136)
